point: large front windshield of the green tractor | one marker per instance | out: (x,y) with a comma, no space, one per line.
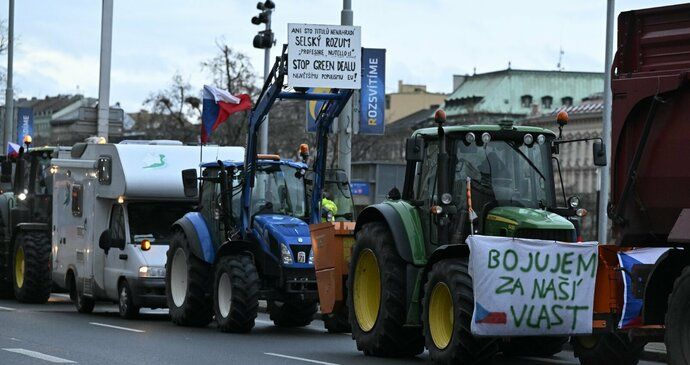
(507,172)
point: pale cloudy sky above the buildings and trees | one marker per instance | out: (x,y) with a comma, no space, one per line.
(427,41)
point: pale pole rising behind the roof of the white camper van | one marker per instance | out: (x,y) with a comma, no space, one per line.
(104,78)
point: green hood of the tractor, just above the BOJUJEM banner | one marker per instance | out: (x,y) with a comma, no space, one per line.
(528,218)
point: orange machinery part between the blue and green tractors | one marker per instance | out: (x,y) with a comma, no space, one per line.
(332,243)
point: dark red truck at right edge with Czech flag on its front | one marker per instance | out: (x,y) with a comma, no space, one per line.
(643,282)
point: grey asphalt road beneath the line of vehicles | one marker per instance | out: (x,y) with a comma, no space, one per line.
(56,333)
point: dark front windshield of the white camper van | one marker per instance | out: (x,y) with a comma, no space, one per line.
(152,220)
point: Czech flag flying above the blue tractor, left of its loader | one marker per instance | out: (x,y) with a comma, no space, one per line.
(218,105)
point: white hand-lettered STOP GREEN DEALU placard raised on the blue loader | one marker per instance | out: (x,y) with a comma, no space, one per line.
(324,56)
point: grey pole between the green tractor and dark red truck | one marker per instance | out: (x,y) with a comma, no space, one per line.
(605,171)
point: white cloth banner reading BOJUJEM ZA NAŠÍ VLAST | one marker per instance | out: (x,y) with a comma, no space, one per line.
(529,287)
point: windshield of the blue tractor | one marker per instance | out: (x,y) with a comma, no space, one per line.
(278,191)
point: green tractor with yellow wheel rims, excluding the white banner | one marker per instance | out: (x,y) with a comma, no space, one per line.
(408,286)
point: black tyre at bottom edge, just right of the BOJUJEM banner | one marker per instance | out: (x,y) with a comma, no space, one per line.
(607,349)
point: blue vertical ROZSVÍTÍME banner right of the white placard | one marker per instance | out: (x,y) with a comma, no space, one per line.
(373,97)
